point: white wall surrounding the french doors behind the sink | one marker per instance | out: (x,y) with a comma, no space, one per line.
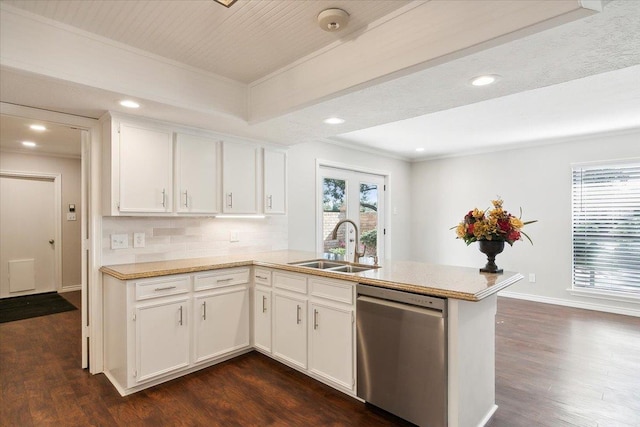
(302,193)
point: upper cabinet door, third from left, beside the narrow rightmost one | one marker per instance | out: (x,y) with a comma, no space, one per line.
(239,164)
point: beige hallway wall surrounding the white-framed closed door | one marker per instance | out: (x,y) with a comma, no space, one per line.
(69,169)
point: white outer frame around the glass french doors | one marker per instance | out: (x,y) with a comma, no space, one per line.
(358,169)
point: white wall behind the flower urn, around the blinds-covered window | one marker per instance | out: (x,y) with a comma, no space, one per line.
(538,179)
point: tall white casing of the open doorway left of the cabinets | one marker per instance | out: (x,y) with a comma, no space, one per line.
(91,291)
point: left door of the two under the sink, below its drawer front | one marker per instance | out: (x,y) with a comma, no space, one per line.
(290,329)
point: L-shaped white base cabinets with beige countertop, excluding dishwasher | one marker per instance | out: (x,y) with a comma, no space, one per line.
(254,290)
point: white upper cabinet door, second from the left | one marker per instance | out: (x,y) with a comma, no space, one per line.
(196,161)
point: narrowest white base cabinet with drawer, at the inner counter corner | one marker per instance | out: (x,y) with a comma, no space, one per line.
(262,309)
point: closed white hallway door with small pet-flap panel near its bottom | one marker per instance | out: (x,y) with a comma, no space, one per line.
(27,235)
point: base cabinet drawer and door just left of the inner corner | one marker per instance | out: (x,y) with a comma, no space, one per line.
(221,313)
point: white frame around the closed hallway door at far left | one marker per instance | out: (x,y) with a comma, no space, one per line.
(57,202)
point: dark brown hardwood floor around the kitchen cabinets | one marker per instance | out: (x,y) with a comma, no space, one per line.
(555,366)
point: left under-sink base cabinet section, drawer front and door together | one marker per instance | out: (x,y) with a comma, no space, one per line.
(290,318)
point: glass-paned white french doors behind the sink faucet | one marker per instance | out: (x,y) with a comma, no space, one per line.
(356,196)
